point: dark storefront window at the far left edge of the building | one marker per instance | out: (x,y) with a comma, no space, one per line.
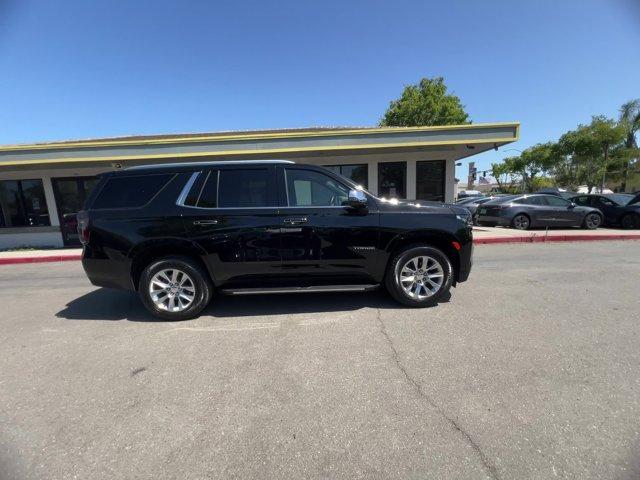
(23,204)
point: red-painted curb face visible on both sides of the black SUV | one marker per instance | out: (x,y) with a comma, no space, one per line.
(476,241)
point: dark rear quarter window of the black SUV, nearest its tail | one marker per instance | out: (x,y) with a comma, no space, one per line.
(130,191)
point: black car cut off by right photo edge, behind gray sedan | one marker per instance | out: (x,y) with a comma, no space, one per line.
(618,209)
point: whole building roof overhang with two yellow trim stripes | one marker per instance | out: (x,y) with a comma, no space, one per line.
(457,141)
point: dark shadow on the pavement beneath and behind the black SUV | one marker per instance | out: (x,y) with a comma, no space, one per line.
(108,304)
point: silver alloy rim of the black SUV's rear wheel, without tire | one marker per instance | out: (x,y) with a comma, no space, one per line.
(172,290)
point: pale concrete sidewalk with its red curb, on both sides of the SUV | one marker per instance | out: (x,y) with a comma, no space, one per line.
(481,235)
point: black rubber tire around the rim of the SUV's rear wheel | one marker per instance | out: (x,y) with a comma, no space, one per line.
(200,283)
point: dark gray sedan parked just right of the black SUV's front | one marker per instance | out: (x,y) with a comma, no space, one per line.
(529,211)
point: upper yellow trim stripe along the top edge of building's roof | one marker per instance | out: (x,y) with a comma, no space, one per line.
(251,136)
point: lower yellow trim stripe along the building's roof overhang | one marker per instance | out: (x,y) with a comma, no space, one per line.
(124,158)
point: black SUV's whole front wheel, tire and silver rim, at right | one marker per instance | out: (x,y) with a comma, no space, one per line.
(419,276)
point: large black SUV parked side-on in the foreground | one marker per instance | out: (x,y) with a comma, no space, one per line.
(176,233)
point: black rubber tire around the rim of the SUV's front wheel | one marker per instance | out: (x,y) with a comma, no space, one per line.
(398,261)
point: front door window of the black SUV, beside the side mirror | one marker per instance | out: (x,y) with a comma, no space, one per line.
(307,187)
